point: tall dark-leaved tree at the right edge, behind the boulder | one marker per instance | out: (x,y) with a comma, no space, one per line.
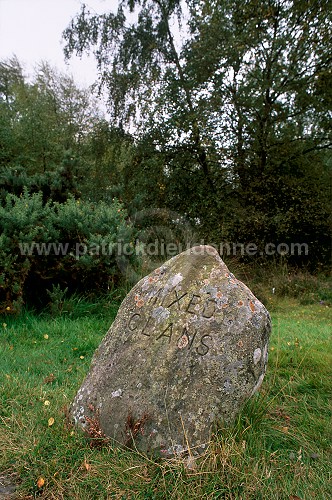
(265,105)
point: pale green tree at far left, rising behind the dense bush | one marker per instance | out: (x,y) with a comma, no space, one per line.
(44,126)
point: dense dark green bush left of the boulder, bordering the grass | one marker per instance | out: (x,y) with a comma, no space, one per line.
(72,244)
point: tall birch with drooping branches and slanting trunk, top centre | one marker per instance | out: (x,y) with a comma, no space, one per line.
(142,69)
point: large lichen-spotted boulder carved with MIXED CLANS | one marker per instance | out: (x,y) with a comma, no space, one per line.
(188,348)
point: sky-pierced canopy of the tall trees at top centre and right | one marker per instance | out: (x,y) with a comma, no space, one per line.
(243,65)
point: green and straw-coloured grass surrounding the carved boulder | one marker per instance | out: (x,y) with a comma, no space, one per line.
(279,448)
